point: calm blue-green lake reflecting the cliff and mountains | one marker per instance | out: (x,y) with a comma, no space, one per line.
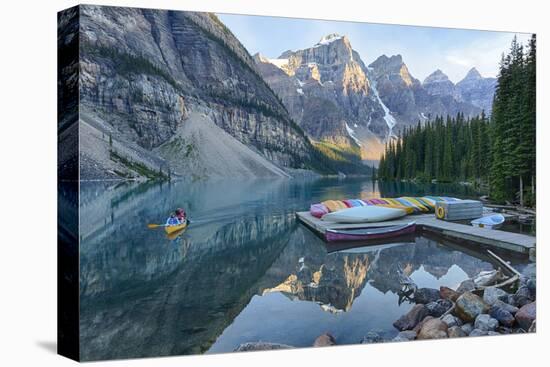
(243,271)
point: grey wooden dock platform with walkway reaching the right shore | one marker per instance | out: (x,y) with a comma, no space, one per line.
(519,243)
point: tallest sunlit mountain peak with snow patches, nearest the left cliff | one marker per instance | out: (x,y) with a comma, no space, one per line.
(327,91)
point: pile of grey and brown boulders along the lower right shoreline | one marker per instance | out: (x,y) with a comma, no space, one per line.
(479,306)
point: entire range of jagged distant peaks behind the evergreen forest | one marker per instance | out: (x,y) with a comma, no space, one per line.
(341,103)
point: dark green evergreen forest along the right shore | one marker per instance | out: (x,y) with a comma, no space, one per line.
(498,152)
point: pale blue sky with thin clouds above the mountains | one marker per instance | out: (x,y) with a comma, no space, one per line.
(424,49)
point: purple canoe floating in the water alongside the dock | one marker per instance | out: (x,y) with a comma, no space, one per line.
(375,233)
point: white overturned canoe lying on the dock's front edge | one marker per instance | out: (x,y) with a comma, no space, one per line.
(364,214)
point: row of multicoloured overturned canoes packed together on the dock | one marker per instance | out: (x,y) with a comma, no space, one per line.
(410,205)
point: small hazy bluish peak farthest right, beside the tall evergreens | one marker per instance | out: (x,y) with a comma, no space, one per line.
(477,90)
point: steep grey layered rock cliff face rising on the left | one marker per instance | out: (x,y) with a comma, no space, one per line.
(145,72)
